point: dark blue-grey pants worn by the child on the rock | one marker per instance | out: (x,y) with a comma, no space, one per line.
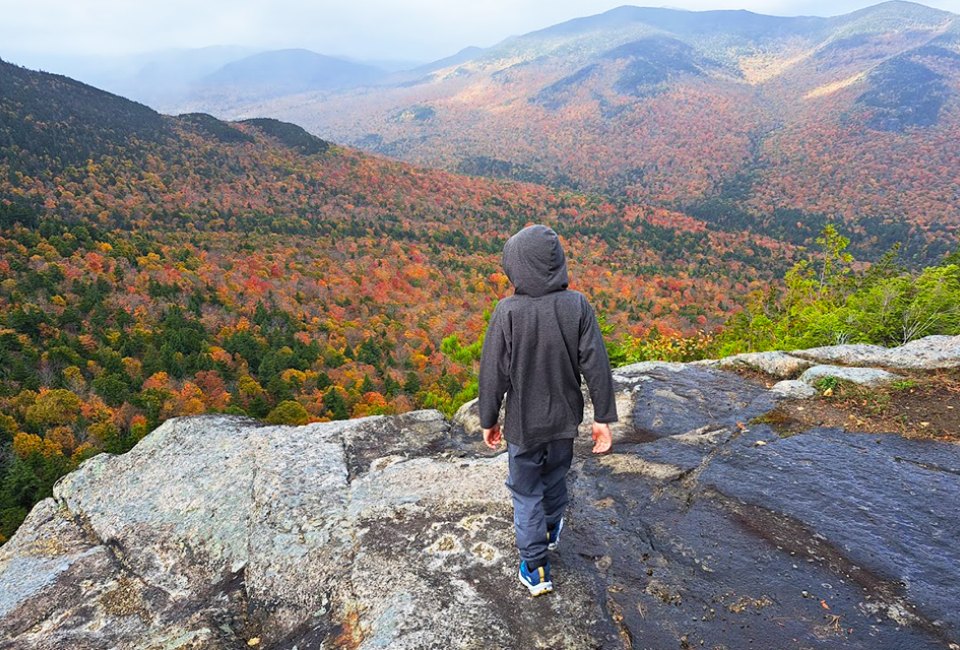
(538,483)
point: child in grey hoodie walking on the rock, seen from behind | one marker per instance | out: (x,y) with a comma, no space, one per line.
(538,343)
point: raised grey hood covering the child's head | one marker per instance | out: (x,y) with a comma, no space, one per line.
(534,261)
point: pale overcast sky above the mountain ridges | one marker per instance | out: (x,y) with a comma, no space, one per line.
(371,29)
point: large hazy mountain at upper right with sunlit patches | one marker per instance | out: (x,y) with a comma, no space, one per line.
(745,120)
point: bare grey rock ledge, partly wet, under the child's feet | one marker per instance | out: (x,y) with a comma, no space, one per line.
(702,529)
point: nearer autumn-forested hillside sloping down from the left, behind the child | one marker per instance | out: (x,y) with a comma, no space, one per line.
(155,266)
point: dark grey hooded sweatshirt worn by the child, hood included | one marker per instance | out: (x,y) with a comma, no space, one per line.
(538,343)
